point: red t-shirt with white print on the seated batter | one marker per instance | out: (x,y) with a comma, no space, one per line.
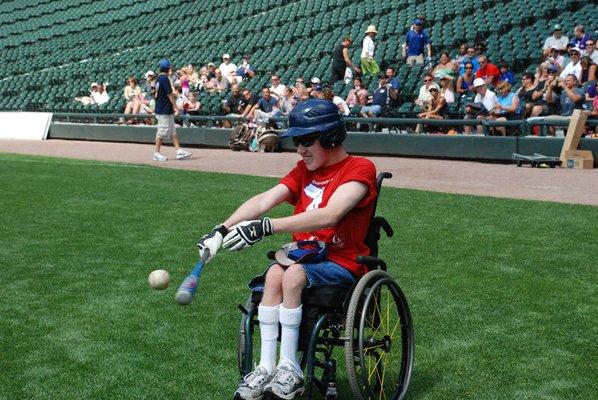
(312,190)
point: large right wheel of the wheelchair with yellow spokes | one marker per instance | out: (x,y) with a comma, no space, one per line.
(380,346)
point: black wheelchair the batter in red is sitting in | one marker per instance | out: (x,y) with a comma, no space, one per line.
(371,321)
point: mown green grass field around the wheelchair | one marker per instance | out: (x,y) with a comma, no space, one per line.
(503,292)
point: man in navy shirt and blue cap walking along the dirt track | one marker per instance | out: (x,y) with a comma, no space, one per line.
(165,109)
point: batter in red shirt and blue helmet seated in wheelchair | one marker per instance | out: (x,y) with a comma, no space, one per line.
(333,195)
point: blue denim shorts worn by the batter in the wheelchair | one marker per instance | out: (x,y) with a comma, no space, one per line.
(325,273)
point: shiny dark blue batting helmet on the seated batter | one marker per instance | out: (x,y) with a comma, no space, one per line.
(317,115)
